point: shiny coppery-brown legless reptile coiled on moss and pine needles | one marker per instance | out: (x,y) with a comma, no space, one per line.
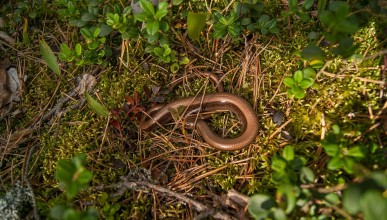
(222,101)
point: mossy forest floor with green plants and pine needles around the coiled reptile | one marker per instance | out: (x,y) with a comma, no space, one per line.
(256,47)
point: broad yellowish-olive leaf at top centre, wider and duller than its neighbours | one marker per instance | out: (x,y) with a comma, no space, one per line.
(195,24)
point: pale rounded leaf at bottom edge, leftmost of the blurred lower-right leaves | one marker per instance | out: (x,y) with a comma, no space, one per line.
(259,205)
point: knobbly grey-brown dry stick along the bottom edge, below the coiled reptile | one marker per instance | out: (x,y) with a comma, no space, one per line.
(126,184)
